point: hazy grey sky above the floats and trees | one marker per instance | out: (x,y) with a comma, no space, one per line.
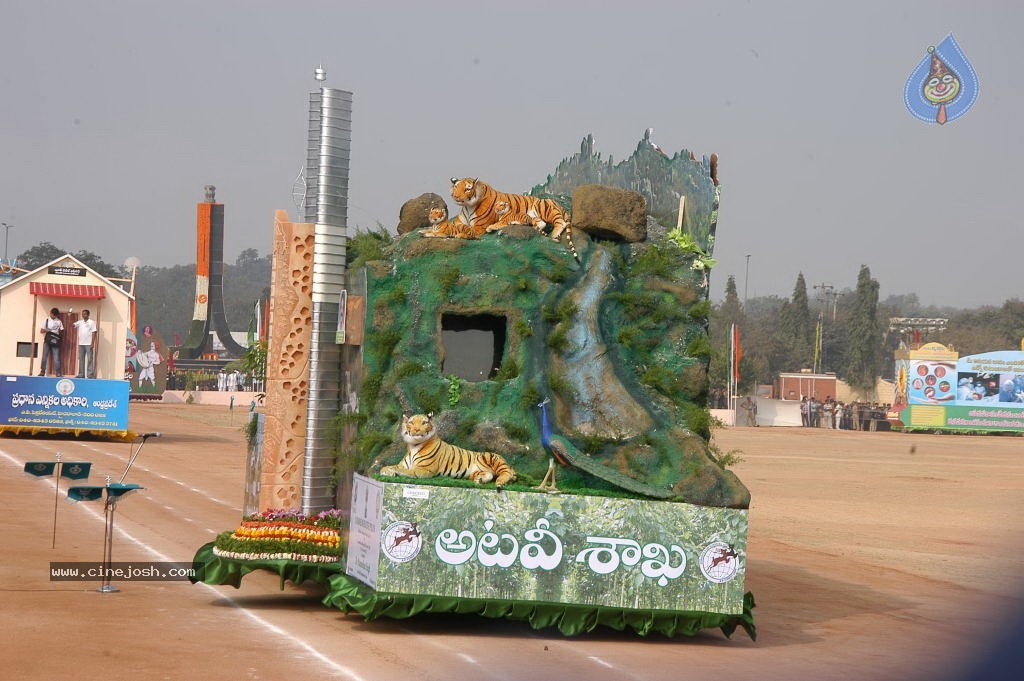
(114,115)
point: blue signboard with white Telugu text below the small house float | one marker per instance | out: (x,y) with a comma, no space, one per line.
(69,404)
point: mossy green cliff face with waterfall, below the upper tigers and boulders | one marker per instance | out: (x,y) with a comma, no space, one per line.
(619,343)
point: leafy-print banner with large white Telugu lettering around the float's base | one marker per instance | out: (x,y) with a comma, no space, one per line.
(434,540)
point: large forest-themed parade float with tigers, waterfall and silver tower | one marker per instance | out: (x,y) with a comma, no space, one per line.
(503,411)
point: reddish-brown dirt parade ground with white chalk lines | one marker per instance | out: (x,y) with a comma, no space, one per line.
(872,557)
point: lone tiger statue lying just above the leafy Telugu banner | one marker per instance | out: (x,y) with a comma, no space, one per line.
(429,456)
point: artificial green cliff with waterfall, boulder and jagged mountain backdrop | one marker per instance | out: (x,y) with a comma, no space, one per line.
(617,342)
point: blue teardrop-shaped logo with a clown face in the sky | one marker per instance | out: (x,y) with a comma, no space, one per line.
(944,87)
